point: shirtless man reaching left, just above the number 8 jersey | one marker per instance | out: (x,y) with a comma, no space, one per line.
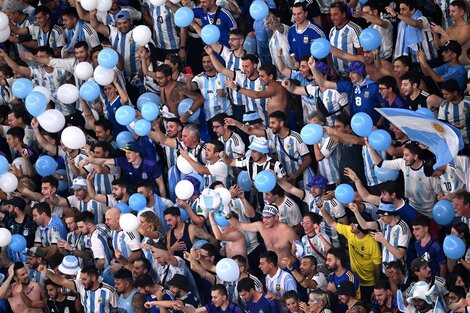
(375,66)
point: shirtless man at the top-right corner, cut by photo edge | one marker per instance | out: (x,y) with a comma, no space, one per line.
(459,31)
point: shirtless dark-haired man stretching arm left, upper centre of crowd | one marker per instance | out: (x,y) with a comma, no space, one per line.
(274,93)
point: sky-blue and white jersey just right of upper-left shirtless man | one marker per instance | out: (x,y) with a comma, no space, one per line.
(209,87)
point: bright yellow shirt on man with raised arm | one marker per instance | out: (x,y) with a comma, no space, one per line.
(363,254)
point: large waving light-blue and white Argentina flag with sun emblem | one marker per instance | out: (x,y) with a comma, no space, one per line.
(440,138)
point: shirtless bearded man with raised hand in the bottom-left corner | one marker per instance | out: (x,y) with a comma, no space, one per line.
(24,295)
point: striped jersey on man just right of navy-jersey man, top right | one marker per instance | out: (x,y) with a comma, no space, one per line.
(347,40)
